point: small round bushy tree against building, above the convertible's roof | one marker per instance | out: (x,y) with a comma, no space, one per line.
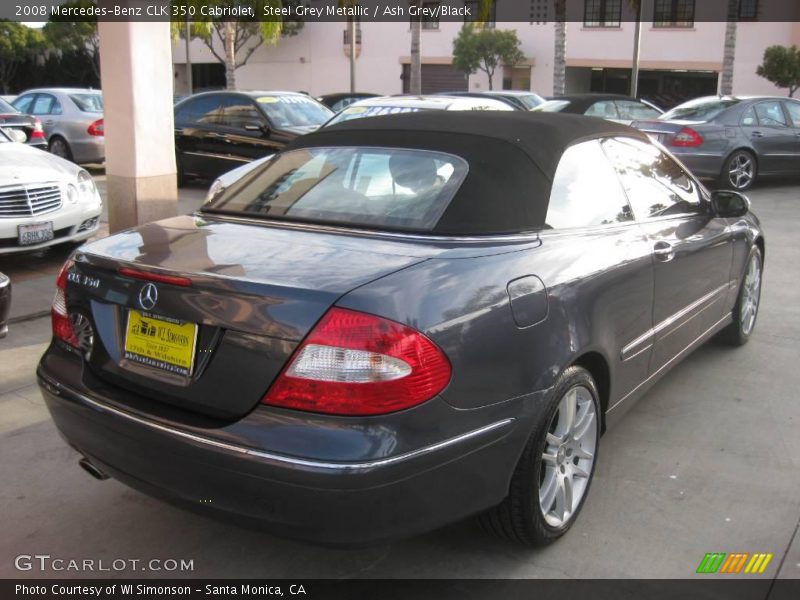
(485,49)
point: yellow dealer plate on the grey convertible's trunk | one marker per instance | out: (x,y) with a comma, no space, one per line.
(161,343)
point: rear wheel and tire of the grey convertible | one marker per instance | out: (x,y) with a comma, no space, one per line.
(521,516)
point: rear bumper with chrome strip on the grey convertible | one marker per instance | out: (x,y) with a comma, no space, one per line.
(329,502)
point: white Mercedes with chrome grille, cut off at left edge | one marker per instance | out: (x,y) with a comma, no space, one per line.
(44,199)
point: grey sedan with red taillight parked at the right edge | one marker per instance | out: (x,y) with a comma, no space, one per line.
(731,139)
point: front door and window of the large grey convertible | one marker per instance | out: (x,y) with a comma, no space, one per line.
(691,249)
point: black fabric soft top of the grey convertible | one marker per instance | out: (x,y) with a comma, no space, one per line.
(512,158)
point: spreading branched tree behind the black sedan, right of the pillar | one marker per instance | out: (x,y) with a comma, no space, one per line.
(238,39)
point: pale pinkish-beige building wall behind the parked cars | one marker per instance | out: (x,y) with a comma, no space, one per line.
(314,60)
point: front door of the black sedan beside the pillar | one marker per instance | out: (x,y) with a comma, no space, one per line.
(244,131)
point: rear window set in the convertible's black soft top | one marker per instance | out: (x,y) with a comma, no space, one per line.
(377,188)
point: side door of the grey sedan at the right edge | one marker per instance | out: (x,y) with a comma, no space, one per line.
(771,137)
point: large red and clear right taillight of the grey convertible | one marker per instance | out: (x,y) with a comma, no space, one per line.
(354,363)
